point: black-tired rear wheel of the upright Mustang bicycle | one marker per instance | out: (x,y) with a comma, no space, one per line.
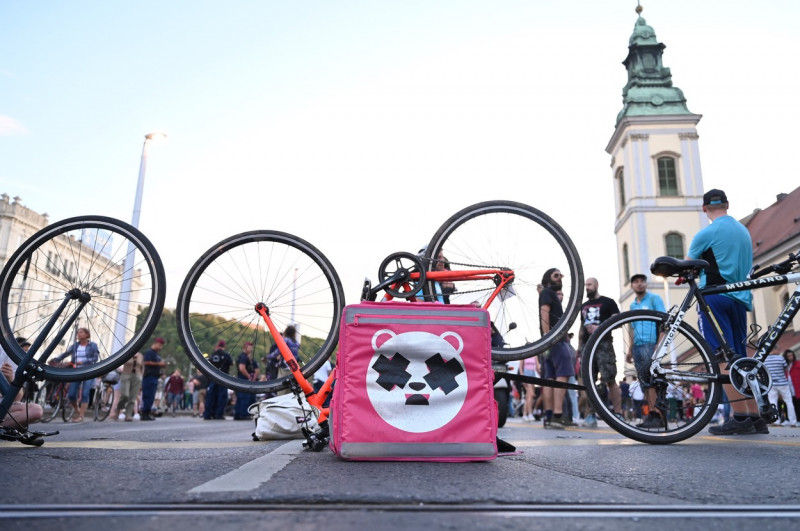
(691,354)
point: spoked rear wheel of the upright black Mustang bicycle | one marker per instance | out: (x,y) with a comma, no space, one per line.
(688,359)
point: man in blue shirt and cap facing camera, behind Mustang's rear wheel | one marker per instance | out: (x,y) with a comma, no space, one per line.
(645,337)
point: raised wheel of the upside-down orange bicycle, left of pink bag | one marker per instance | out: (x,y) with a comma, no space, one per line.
(290,276)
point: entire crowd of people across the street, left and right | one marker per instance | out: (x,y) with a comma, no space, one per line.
(145,392)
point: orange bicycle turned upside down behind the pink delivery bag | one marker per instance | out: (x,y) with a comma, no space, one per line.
(248,288)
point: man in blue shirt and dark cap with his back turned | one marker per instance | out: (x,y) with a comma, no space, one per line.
(726,245)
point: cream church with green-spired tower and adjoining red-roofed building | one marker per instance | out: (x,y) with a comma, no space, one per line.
(658,187)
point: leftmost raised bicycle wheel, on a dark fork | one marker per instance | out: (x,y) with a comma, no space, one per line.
(89,272)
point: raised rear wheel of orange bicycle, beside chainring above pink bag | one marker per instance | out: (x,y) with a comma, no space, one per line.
(505,234)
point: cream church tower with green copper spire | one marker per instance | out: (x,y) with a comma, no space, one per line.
(655,164)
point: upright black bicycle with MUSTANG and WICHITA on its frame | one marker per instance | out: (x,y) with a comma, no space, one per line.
(681,357)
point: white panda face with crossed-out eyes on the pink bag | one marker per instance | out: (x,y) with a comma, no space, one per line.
(412,371)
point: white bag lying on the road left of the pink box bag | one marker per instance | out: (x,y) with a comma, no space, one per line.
(281,417)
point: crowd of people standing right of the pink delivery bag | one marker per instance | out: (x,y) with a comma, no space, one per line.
(726,245)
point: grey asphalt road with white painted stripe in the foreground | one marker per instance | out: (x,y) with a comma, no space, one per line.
(211,475)
